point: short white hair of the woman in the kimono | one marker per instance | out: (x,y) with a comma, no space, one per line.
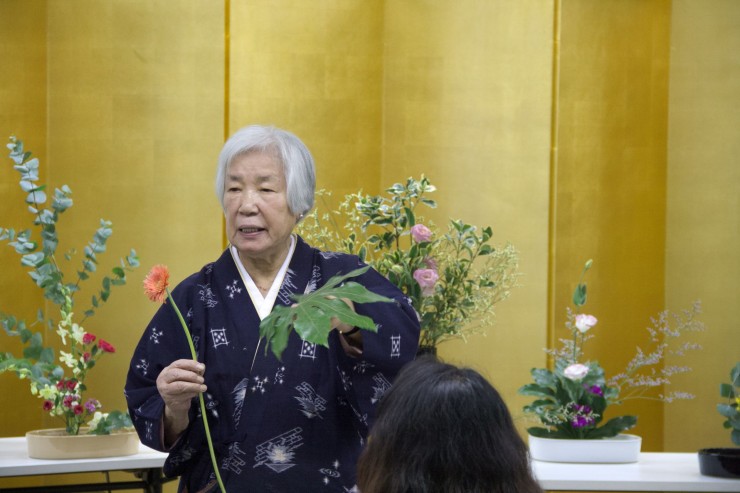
(297,162)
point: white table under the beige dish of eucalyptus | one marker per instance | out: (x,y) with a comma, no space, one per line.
(147,465)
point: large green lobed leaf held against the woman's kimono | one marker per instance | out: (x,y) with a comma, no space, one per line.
(312,313)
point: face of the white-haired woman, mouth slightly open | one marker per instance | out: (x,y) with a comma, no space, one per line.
(258,220)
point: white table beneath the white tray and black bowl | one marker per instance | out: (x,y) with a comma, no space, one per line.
(652,472)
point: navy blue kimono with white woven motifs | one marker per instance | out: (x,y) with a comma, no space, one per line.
(278,426)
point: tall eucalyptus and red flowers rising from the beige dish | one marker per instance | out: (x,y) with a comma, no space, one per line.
(62,392)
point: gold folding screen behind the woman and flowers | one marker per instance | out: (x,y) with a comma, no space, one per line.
(129,102)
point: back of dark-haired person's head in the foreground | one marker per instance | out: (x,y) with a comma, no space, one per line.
(443,429)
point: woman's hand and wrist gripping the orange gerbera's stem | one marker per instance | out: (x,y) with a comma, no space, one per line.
(178,383)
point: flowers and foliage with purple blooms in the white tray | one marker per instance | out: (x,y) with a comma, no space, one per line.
(571,399)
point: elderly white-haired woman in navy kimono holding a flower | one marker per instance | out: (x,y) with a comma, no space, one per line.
(293,425)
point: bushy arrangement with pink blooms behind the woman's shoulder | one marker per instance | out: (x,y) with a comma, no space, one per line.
(453,279)
